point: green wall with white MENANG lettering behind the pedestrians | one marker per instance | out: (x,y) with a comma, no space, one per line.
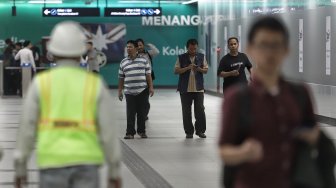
(168,33)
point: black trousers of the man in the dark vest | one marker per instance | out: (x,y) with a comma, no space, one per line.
(200,124)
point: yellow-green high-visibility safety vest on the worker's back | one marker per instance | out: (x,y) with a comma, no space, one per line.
(67,131)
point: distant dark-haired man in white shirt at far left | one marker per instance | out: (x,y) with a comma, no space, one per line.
(26,55)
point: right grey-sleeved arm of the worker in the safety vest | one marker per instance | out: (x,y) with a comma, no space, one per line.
(108,133)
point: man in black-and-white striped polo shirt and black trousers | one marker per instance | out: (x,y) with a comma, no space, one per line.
(136,81)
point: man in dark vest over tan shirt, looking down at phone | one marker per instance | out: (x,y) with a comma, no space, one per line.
(191,66)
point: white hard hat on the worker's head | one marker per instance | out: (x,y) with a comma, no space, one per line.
(67,40)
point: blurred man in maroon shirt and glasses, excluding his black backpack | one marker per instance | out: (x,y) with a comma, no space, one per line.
(264,156)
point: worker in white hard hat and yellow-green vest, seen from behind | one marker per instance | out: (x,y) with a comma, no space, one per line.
(67,110)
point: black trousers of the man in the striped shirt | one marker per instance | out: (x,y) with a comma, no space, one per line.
(136,105)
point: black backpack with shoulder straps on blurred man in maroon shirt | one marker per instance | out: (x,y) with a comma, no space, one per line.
(307,171)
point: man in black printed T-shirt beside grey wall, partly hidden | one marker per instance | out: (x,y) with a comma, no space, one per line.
(232,65)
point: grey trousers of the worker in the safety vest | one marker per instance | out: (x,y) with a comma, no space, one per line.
(84,176)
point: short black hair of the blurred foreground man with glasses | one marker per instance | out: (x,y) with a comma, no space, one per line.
(270,23)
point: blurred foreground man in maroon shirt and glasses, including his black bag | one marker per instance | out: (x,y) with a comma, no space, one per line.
(269,130)
